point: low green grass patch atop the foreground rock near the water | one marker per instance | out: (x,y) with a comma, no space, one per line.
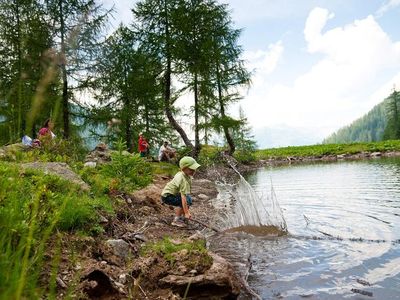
(167,248)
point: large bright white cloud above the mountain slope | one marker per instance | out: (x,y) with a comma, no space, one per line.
(336,89)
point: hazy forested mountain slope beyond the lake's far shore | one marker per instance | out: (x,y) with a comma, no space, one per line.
(368,128)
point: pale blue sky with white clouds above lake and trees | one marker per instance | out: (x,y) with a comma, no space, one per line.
(317,64)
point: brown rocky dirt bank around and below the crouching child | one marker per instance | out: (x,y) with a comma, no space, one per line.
(113,266)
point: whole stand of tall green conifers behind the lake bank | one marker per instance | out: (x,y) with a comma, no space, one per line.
(60,59)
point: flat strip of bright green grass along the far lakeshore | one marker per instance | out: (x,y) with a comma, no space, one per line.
(327,149)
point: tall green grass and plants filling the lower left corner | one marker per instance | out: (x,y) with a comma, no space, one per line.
(33,207)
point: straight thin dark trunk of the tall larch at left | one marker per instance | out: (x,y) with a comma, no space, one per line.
(64,74)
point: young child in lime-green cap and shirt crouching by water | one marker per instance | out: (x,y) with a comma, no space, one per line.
(176,192)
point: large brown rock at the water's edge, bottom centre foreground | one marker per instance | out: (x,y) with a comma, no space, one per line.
(219,281)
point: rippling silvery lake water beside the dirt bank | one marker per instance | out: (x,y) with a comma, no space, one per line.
(343,221)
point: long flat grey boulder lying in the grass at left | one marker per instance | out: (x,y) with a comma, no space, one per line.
(60,169)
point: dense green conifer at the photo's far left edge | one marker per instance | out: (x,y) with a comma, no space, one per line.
(24,59)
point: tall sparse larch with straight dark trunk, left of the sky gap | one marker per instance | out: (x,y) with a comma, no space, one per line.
(78,30)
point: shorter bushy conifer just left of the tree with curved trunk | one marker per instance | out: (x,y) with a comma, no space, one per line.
(126,78)
